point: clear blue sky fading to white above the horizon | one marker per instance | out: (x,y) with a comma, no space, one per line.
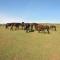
(41,11)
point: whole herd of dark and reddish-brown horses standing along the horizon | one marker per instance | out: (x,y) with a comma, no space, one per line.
(30,27)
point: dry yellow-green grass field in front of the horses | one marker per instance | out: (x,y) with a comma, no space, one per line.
(19,45)
